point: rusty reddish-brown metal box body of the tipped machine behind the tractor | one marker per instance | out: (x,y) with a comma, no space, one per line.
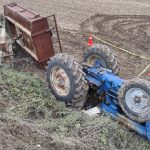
(31,31)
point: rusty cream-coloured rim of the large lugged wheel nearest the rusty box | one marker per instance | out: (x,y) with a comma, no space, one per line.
(60,81)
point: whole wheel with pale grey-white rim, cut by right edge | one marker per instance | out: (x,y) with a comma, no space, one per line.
(134,99)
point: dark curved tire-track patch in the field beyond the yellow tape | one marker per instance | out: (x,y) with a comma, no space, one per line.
(130,31)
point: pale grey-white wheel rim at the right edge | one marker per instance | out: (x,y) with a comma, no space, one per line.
(137,100)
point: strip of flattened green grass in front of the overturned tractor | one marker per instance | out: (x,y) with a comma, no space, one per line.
(28,97)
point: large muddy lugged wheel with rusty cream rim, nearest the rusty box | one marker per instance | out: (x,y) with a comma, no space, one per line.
(67,80)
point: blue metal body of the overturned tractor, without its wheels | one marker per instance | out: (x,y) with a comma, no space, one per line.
(109,84)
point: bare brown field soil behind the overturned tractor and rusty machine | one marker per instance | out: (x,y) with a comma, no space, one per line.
(125,24)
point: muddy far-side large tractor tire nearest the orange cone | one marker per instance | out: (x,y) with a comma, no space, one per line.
(104,54)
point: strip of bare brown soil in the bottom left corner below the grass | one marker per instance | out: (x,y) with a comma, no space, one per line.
(17,134)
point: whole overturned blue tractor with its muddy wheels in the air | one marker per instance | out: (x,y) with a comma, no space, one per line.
(97,79)
